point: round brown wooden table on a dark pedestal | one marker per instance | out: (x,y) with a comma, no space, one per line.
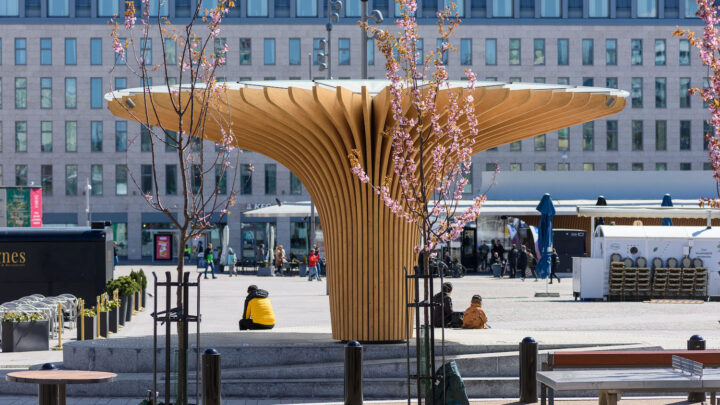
(51,383)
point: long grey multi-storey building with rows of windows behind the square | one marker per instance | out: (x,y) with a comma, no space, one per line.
(56,62)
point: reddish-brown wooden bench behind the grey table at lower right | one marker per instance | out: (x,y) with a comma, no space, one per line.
(621,359)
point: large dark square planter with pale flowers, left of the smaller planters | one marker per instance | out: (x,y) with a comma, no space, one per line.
(24,332)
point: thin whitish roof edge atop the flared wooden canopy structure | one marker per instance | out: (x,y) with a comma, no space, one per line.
(373,87)
